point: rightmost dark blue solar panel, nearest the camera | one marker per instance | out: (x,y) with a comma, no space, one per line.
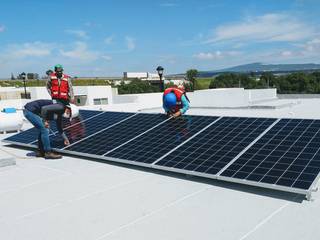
(288,155)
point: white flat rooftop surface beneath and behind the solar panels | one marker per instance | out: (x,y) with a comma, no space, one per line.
(78,198)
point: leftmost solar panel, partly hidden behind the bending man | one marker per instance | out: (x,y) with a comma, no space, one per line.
(31,135)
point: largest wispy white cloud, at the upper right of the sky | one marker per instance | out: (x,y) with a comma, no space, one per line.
(265,28)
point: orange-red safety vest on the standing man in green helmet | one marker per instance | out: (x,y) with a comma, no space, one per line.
(59,91)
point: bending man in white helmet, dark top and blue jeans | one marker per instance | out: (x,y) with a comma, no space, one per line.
(39,113)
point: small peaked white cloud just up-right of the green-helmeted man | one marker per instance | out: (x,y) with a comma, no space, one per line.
(81,52)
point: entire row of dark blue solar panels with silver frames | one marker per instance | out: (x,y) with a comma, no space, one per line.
(280,154)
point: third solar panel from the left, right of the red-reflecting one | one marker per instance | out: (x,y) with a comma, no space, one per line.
(111,138)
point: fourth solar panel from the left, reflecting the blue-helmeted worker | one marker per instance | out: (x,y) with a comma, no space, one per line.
(160,140)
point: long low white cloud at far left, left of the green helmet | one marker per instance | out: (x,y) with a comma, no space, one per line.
(34,49)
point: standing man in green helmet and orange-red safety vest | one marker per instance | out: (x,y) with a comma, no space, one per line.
(59,86)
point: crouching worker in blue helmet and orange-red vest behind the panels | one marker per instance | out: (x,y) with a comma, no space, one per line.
(175,101)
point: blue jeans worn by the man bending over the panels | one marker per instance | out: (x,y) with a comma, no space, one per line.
(43,137)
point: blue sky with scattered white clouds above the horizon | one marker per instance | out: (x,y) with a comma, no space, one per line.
(108,37)
